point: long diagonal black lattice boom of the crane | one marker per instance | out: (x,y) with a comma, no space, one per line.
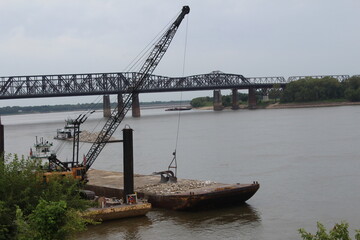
(147,68)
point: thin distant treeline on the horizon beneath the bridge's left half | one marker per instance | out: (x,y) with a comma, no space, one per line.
(73,107)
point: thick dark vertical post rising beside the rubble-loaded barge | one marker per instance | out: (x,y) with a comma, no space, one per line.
(128,162)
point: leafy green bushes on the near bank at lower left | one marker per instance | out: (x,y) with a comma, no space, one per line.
(32,209)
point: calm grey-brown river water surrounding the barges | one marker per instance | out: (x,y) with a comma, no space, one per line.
(306,160)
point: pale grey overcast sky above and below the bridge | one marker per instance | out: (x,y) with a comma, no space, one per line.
(248,37)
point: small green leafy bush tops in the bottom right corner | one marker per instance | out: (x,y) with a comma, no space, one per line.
(338,232)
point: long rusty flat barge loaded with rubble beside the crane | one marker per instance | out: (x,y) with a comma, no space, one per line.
(183,195)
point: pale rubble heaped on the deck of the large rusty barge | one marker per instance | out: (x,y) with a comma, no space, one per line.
(172,188)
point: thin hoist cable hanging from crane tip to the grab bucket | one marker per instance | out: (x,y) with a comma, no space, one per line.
(173,163)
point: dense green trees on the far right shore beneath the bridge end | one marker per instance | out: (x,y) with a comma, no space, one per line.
(303,90)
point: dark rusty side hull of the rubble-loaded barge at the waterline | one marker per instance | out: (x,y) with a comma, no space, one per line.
(229,195)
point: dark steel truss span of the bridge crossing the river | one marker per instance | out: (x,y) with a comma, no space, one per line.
(114,83)
